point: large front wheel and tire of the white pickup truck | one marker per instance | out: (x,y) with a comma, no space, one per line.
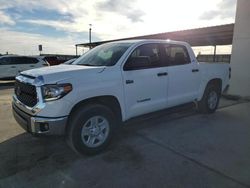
(90,129)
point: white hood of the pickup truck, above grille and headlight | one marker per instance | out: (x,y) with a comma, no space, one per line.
(59,73)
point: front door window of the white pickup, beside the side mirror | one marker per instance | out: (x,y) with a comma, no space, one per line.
(143,57)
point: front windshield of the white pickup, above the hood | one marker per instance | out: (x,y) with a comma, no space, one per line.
(103,55)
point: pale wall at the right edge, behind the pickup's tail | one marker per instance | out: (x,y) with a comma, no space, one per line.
(240,59)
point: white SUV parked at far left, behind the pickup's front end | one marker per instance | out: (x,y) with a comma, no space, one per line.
(11,65)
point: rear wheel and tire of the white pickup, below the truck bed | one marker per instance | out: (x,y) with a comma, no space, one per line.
(210,99)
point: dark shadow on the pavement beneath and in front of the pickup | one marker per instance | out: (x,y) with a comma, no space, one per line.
(23,152)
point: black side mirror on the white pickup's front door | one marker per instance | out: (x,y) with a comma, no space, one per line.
(135,63)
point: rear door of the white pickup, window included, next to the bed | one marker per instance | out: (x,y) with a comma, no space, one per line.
(184,75)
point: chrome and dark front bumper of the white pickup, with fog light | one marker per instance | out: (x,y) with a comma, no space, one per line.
(39,125)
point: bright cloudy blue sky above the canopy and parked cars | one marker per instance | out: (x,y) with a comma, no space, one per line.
(60,24)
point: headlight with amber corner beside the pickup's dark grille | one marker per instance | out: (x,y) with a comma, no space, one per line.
(54,92)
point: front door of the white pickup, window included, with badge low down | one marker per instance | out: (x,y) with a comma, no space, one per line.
(145,84)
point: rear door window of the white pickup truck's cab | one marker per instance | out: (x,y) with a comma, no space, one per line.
(176,55)
